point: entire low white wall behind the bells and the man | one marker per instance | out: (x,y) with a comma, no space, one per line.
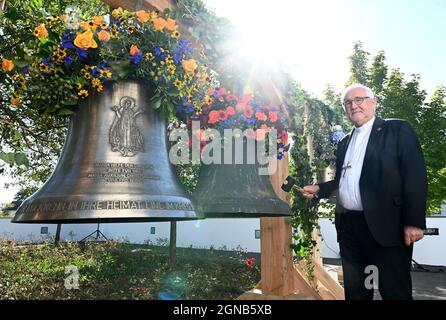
(231,233)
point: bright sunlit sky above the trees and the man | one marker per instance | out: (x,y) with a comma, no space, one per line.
(315,37)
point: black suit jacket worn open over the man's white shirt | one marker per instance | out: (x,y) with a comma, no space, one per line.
(393,182)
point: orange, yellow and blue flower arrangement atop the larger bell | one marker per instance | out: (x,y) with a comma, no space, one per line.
(84,53)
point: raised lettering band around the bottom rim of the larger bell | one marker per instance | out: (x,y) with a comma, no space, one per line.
(108,205)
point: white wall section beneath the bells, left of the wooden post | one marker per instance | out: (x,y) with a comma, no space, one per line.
(218,233)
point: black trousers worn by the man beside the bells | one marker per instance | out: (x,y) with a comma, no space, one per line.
(368,265)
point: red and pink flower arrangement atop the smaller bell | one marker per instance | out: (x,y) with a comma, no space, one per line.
(225,110)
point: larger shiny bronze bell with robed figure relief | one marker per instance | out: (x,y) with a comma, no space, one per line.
(114,166)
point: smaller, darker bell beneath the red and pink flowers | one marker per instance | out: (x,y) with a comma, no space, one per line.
(237,190)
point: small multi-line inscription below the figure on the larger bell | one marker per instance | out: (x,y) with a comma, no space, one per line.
(121,172)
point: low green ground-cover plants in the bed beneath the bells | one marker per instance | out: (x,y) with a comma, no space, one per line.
(122,271)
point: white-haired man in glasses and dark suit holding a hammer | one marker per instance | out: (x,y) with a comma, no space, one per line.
(380,188)
